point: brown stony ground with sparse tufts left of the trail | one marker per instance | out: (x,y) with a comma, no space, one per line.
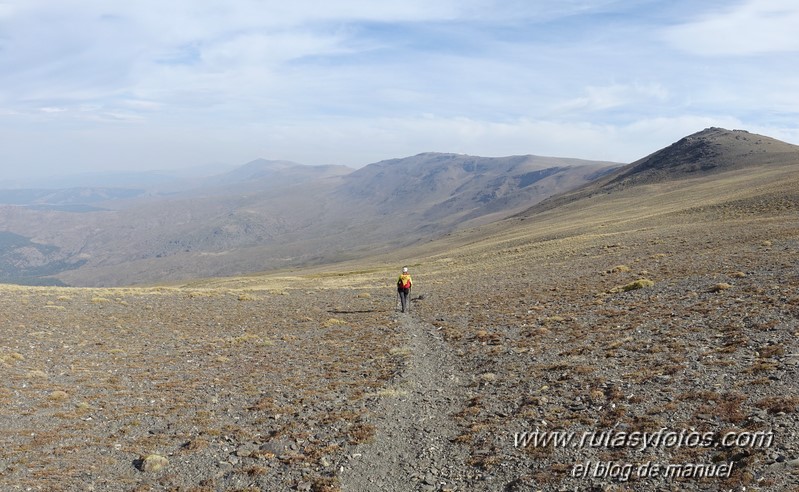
(229,390)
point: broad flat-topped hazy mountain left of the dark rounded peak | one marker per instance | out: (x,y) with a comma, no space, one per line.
(456,188)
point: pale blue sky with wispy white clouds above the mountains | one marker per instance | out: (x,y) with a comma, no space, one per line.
(94,85)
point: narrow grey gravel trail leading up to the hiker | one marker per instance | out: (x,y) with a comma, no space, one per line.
(412,448)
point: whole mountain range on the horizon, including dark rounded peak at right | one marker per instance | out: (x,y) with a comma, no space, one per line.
(268,215)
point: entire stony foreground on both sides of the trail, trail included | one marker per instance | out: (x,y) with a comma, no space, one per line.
(664,344)
